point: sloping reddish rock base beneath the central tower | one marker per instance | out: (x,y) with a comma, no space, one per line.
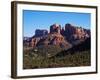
(54,39)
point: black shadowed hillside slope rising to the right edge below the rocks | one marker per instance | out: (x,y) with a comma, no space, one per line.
(83,46)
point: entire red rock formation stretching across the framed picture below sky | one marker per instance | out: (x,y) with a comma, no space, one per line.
(65,38)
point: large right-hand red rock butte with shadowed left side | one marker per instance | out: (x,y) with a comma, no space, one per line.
(74,33)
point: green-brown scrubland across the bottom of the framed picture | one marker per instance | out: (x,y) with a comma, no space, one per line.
(45,57)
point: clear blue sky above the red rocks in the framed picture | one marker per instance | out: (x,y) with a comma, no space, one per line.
(33,20)
